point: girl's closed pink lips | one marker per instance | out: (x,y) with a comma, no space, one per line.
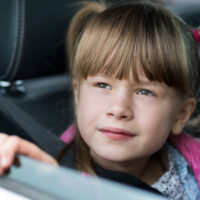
(116,133)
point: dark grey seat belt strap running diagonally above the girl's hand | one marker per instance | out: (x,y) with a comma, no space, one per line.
(27,126)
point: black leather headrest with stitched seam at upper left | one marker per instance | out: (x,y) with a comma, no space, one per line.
(32,37)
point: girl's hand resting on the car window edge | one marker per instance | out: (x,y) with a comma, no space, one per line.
(12,145)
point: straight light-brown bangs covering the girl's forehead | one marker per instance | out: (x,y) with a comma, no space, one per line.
(121,45)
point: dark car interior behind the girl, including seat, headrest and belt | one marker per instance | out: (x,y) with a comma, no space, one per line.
(35,92)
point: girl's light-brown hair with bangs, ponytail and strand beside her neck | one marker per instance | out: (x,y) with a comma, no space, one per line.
(119,39)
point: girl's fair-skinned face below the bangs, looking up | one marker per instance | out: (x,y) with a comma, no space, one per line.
(124,120)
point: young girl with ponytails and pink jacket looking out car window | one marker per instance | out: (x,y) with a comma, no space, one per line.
(135,75)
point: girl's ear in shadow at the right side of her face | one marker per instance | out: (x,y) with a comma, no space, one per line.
(184,114)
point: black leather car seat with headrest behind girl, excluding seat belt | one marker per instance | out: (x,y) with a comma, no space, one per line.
(32,41)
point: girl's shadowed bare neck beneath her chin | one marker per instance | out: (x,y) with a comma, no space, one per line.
(148,170)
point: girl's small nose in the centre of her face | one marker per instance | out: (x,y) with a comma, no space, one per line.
(120,108)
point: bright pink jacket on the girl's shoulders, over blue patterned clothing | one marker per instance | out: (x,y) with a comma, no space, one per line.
(186,145)
